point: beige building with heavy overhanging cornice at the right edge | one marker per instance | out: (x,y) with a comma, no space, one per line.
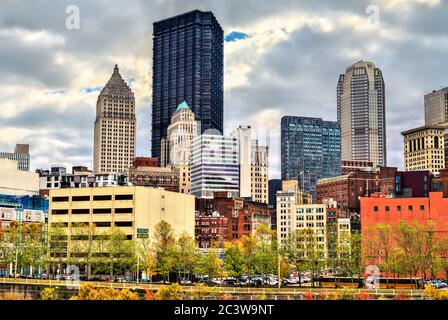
(424,148)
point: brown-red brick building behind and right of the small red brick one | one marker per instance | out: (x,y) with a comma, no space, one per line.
(243,216)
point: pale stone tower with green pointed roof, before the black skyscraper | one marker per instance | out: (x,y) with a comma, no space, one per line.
(176,148)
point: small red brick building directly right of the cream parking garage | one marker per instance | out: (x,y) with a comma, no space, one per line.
(211,230)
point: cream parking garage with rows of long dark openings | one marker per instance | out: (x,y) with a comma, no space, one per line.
(127,208)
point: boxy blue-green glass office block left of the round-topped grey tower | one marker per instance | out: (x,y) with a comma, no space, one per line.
(311,150)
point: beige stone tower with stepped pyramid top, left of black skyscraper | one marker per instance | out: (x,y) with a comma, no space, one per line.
(115,127)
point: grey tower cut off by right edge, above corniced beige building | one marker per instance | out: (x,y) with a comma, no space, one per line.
(436,107)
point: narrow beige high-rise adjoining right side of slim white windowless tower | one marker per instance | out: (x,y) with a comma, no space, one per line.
(260,173)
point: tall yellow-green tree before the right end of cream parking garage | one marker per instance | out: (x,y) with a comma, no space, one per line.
(164,248)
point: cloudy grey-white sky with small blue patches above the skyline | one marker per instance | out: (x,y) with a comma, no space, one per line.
(282,57)
